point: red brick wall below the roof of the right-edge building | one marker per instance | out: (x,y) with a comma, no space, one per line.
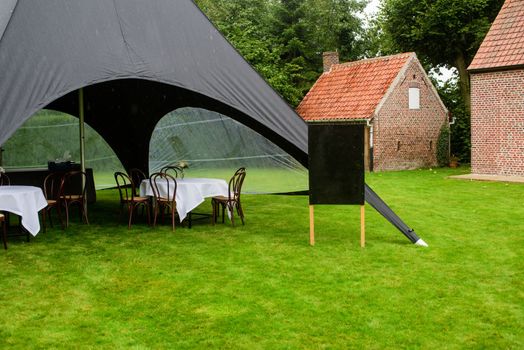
(497,123)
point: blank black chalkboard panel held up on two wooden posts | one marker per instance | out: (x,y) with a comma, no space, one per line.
(336,163)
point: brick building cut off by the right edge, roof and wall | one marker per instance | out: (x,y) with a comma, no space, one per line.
(497,96)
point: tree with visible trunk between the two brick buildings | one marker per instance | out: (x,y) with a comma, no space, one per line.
(442,32)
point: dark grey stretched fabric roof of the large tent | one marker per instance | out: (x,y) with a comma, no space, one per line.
(50,49)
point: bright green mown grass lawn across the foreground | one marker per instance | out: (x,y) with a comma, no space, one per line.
(261,286)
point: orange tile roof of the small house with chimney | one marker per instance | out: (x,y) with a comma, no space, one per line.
(351,90)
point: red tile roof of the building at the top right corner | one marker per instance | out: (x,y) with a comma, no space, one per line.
(503,46)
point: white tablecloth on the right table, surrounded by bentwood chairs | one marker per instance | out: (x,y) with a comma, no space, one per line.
(190,193)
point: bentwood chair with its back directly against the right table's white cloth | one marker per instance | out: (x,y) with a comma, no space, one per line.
(157,181)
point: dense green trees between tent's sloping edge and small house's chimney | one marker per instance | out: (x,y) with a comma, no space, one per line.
(284,39)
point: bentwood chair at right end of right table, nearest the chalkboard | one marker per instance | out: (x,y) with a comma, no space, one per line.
(232,200)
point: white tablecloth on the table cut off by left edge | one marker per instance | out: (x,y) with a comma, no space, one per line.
(25,201)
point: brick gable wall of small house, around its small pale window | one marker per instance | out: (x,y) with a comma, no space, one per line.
(404,138)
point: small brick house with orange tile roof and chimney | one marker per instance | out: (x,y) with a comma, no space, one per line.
(393,96)
